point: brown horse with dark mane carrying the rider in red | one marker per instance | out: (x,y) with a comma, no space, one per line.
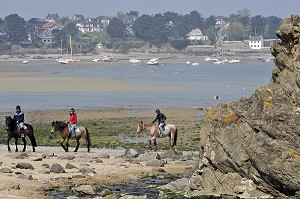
(65,134)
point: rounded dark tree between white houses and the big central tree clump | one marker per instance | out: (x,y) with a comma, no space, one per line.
(116,28)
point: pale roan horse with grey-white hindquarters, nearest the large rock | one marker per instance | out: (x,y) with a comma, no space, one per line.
(170,130)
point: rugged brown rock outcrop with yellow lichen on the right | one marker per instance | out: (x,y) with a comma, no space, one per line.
(252,147)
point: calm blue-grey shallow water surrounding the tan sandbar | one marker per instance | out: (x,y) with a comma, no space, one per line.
(199,85)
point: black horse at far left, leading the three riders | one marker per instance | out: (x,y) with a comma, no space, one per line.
(13,131)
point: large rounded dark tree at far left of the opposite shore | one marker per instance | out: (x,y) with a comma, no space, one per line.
(15,28)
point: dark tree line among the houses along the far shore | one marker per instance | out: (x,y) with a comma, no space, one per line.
(159,29)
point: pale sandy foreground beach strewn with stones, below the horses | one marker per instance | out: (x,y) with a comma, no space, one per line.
(105,166)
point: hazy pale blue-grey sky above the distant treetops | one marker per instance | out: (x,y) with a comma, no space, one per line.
(28,9)
